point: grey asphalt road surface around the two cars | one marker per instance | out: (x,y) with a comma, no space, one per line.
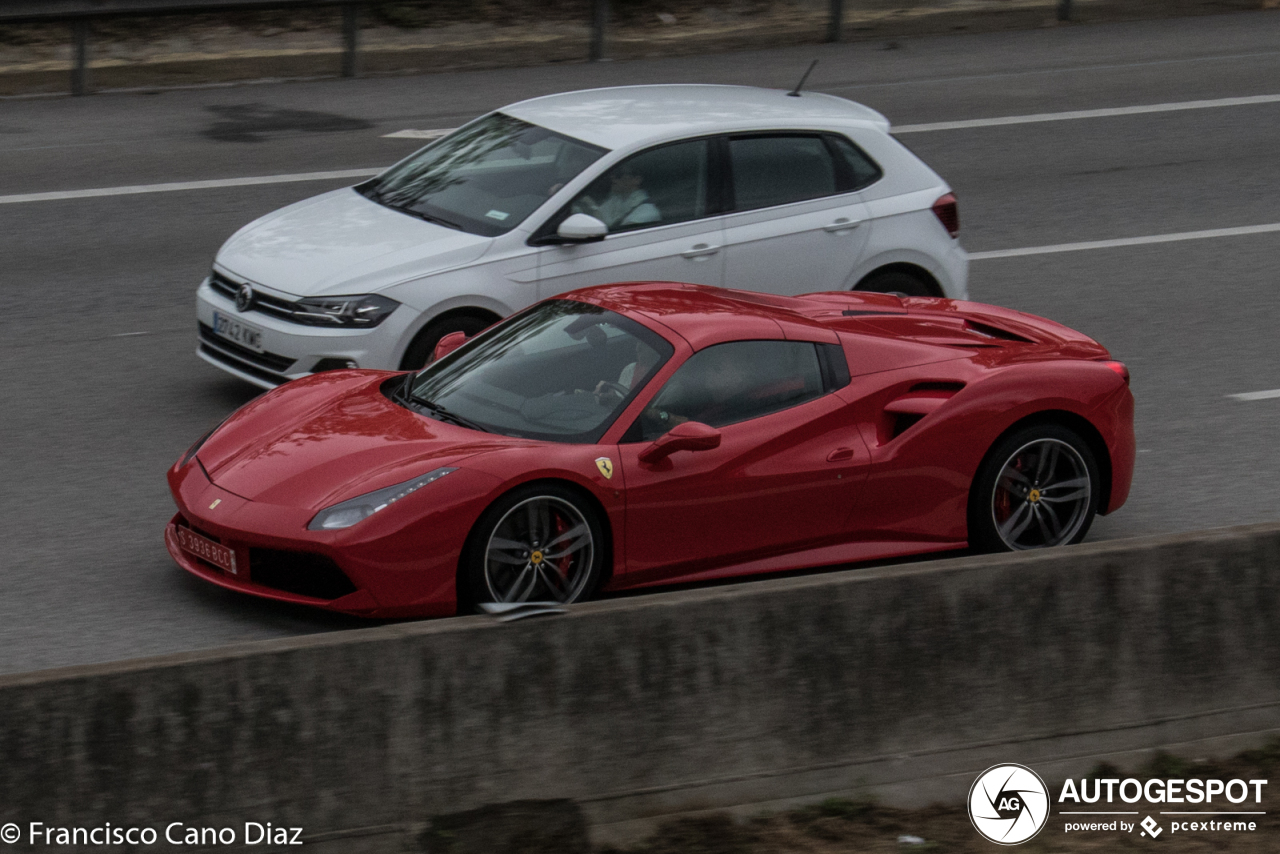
(100,389)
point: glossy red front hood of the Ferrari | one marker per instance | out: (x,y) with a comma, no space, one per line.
(331,437)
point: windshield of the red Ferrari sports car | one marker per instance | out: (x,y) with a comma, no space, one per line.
(563,371)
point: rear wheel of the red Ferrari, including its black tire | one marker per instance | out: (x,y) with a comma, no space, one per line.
(1037,488)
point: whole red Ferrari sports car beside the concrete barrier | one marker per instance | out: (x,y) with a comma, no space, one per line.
(630,436)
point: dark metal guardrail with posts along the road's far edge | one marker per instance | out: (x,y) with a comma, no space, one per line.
(80,13)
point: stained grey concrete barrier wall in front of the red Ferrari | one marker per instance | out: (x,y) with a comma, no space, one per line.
(903,682)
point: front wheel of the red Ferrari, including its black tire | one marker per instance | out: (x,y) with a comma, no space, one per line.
(560,563)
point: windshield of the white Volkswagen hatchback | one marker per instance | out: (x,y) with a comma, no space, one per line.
(486,177)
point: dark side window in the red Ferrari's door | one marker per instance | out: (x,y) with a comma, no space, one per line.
(735,382)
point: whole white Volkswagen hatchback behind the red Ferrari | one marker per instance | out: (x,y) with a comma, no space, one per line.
(714,185)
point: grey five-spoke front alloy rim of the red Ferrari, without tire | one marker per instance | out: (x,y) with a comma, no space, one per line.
(542,550)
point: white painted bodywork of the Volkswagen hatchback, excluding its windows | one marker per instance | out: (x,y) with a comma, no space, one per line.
(342,244)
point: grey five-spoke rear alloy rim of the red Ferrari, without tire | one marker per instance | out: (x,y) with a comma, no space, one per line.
(1043,496)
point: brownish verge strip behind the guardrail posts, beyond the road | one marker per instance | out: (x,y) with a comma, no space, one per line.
(181,52)
